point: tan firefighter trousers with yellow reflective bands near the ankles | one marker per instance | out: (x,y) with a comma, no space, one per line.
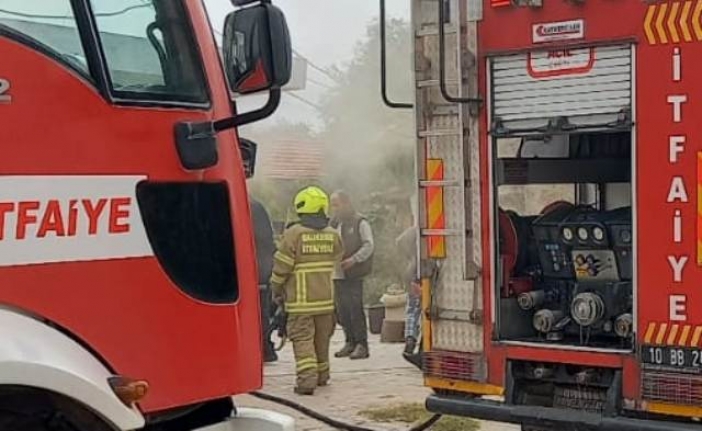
(311,335)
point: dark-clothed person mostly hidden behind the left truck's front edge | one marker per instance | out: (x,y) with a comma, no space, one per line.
(265,248)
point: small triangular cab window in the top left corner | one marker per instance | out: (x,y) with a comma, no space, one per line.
(49,26)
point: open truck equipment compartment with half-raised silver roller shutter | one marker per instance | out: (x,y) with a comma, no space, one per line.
(562,153)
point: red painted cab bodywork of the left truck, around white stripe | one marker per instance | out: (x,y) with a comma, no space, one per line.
(127,310)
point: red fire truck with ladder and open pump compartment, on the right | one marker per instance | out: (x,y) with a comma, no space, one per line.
(558,176)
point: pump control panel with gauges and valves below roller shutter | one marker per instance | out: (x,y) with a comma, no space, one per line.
(569,269)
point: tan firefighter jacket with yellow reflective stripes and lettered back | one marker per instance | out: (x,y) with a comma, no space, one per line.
(303,268)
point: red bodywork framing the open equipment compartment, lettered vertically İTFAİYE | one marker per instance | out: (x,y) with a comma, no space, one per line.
(661,298)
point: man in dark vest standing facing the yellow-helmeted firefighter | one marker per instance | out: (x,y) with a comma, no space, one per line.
(357,237)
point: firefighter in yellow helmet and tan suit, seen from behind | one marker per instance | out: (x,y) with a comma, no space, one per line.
(302,280)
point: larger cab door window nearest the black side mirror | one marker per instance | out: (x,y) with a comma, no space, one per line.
(150,50)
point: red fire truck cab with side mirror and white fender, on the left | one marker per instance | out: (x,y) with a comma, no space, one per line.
(128,294)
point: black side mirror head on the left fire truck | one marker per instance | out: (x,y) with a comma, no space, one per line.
(257,49)
